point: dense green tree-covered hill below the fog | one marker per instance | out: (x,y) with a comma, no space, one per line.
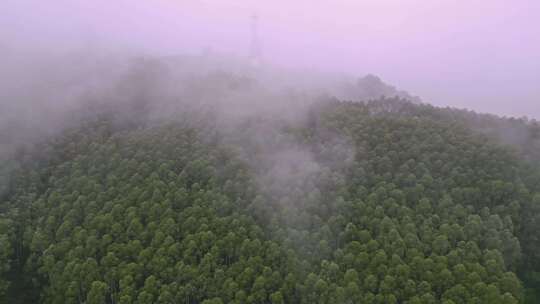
(378,202)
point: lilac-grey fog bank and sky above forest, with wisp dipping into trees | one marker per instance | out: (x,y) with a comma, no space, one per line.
(60,58)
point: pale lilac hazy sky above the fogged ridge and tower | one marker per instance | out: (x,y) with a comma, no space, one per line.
(478,54)
